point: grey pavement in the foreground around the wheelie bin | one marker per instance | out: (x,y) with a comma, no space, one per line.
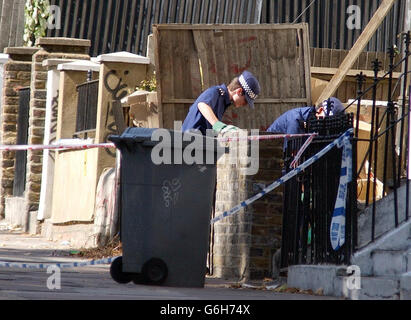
(95,282)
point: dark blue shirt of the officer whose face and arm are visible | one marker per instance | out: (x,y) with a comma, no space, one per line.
(217,98)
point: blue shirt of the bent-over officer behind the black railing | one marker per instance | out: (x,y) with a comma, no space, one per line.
(290,121)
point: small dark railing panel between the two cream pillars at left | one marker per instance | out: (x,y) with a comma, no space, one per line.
(86,118)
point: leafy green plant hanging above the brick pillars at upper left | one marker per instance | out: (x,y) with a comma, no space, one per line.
(36,14)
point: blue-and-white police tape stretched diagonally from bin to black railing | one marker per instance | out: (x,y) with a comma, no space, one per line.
(288,176)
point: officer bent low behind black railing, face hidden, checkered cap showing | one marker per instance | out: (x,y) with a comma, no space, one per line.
(293,121)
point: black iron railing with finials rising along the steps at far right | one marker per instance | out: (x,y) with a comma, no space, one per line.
(385,165)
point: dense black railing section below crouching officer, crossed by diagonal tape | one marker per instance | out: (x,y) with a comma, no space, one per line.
(310,197)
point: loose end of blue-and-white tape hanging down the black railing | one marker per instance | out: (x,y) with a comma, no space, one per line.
(337,227)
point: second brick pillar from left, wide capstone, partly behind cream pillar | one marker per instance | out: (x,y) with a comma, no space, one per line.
(50,48)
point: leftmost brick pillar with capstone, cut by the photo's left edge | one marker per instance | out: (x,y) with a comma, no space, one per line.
(16,73)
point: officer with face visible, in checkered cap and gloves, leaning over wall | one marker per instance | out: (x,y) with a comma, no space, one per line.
(208,110)
